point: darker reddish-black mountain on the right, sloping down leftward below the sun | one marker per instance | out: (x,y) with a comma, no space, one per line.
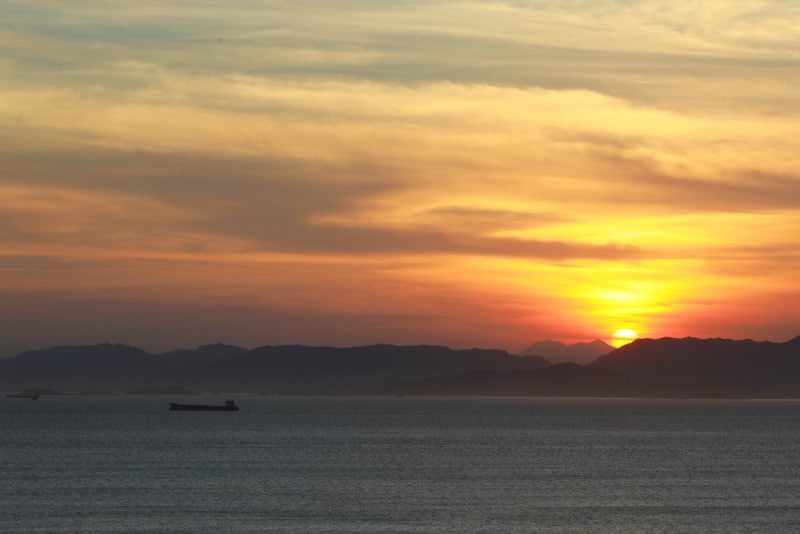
(667,367)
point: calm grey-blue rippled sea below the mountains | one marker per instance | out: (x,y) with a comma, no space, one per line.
(282,464)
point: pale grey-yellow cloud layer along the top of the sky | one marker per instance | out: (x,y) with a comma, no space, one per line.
(651,50)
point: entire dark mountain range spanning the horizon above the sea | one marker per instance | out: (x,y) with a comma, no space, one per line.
(667,367)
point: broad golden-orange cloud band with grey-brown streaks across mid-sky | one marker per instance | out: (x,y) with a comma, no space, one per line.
(342,167)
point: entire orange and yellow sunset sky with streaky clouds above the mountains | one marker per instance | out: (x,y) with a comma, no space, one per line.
(346,172)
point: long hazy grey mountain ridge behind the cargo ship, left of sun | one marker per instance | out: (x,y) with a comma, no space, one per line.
(281,369)
